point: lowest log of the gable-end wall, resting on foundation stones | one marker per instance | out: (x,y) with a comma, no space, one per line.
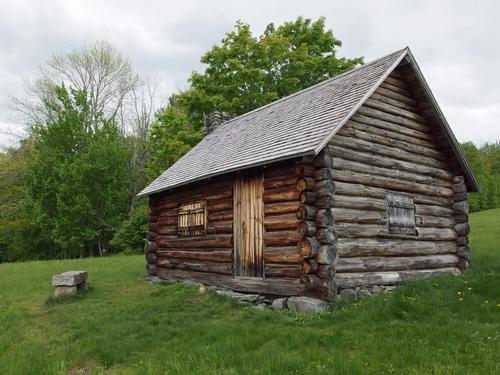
(353,280)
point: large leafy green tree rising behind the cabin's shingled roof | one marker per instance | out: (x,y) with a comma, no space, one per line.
(246,72)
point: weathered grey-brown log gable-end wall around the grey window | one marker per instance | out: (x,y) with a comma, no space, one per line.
(390,145)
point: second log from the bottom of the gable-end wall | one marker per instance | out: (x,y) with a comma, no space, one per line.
(368,264)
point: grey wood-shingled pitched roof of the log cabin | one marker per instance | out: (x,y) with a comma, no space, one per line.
(297,125)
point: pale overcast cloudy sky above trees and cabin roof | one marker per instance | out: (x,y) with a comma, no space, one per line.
(454,42)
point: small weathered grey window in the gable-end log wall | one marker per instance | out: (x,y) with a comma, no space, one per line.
(401,214)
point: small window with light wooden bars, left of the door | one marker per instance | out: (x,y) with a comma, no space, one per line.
(192,219)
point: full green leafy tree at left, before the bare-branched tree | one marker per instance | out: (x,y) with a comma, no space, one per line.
(77,178)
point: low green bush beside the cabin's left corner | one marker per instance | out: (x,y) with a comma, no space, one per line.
(131,233)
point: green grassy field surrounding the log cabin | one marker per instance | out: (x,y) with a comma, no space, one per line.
(126,325)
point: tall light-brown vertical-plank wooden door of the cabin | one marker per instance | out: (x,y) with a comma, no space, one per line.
(248,225)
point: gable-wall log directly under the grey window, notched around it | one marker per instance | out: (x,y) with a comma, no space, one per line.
(369,231)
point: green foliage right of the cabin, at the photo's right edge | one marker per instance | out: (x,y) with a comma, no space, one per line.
(485,162)
